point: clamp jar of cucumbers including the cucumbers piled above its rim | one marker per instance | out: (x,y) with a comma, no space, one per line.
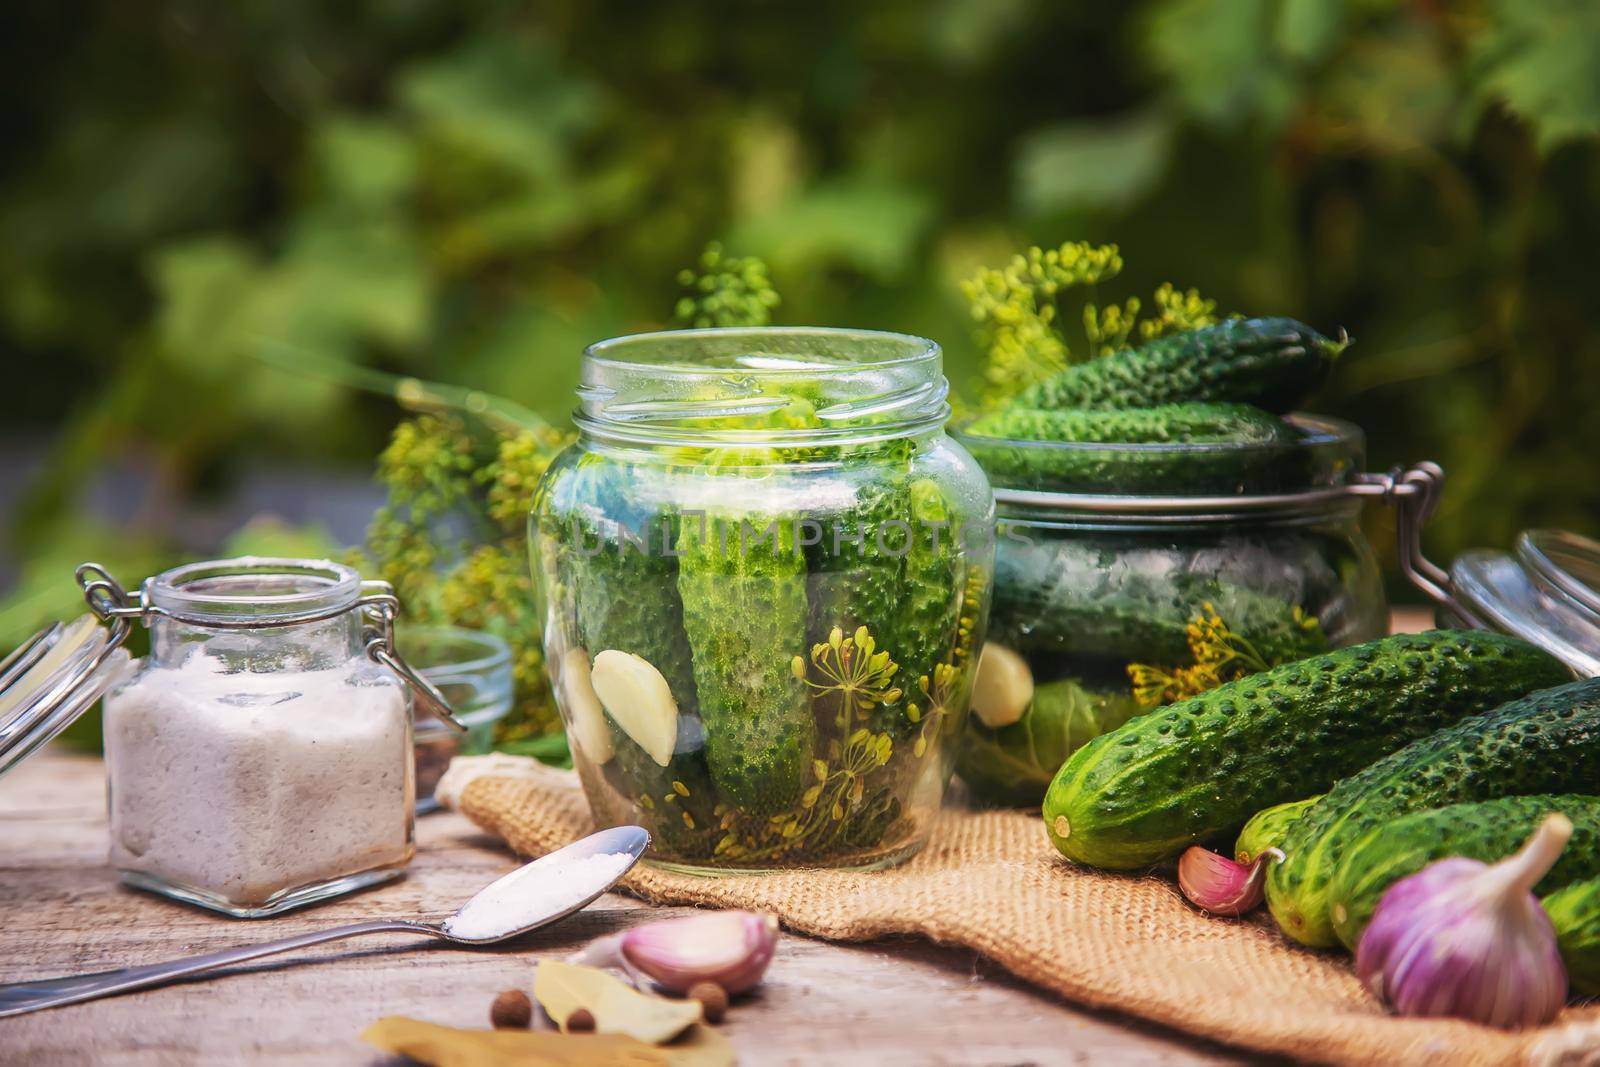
(1166,526)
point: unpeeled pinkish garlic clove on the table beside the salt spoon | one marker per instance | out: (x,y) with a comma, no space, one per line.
(730,949)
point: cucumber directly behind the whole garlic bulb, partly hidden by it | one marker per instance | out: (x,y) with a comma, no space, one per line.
(1487,831)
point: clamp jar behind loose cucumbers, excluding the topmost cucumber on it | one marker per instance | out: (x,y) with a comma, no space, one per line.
(1134,575)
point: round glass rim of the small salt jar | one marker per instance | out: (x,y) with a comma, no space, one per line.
(266,591)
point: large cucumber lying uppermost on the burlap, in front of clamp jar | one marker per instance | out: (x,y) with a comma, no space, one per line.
(1202,767)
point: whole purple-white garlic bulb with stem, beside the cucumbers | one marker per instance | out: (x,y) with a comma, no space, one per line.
(1468,940)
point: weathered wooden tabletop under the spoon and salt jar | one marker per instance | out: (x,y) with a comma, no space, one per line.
(884,1004)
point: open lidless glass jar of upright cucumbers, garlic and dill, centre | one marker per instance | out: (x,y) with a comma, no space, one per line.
(766,575)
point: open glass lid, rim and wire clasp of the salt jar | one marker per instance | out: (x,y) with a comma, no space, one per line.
(58,674)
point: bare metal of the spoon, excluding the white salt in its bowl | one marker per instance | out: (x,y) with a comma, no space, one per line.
(50,993)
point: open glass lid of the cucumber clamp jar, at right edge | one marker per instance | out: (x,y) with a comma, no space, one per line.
(1546,593)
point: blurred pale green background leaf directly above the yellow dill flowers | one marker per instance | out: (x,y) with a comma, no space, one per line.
(1094,166)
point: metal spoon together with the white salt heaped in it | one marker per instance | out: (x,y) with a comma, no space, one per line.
(532,897)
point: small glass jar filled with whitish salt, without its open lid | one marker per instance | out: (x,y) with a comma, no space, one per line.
(260,757)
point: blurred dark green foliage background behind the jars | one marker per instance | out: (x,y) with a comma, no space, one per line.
(473,191)
